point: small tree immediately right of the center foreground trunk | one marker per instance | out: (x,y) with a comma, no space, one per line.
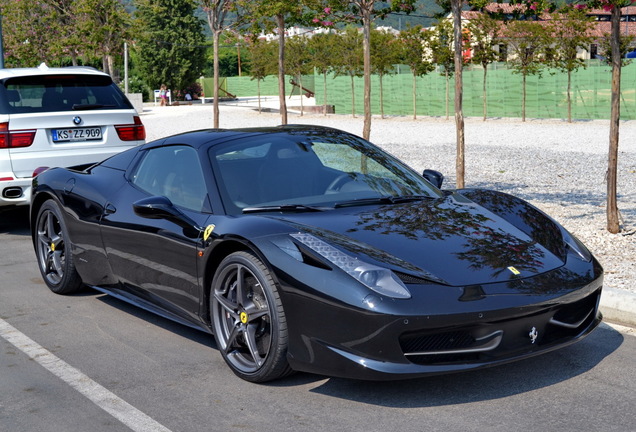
(484,37)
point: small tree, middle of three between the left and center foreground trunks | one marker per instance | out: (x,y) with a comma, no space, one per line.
(415,50)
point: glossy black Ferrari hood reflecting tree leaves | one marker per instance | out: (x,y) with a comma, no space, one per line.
(453,240)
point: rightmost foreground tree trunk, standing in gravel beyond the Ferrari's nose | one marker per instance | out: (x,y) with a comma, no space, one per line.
(613,225)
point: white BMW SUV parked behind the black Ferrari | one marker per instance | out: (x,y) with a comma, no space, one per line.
(59,117)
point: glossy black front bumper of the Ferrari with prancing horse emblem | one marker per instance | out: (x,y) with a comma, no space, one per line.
(361,345)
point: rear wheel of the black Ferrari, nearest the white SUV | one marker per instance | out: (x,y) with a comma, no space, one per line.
(53,250)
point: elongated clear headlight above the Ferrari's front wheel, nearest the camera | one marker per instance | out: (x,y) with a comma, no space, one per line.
(379,279)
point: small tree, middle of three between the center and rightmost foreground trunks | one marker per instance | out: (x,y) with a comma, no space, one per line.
(527,43)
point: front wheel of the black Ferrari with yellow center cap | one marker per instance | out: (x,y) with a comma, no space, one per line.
(248,319)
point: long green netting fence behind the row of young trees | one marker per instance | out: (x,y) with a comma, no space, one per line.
(546,95)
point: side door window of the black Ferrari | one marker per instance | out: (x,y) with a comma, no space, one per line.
(174,172)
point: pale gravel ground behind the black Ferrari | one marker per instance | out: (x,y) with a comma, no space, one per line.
(559,167)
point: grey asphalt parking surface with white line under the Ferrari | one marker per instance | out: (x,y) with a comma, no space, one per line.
(91,362)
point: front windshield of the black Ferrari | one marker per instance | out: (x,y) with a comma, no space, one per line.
(311,170)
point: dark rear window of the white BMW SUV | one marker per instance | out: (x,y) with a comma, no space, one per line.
(69,92)
